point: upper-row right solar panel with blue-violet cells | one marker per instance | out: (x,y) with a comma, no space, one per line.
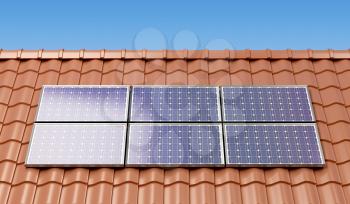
(266,104)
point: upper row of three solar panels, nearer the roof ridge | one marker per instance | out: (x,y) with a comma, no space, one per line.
(175,104)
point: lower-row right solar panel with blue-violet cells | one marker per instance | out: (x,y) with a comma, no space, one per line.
(272,145)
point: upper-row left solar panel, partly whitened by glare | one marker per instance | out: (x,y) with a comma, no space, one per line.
(83,103)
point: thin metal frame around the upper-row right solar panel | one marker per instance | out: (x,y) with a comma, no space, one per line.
(313,118)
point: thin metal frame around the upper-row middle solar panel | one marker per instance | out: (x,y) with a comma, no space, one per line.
(218,101)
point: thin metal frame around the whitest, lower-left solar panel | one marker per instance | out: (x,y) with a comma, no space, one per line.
(43,165)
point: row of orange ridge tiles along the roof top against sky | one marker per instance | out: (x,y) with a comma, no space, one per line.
(175,54)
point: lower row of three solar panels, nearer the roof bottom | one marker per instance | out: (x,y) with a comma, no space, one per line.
(174,145)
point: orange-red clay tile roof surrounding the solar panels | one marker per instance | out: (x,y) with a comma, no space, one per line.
(326,72)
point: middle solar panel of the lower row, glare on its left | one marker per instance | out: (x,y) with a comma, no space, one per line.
(172,145)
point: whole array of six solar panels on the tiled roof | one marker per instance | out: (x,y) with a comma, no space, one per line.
(172,126)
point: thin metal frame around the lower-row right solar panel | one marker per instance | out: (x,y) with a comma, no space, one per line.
(314,125)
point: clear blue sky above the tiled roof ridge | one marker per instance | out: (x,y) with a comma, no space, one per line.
(174,25)
